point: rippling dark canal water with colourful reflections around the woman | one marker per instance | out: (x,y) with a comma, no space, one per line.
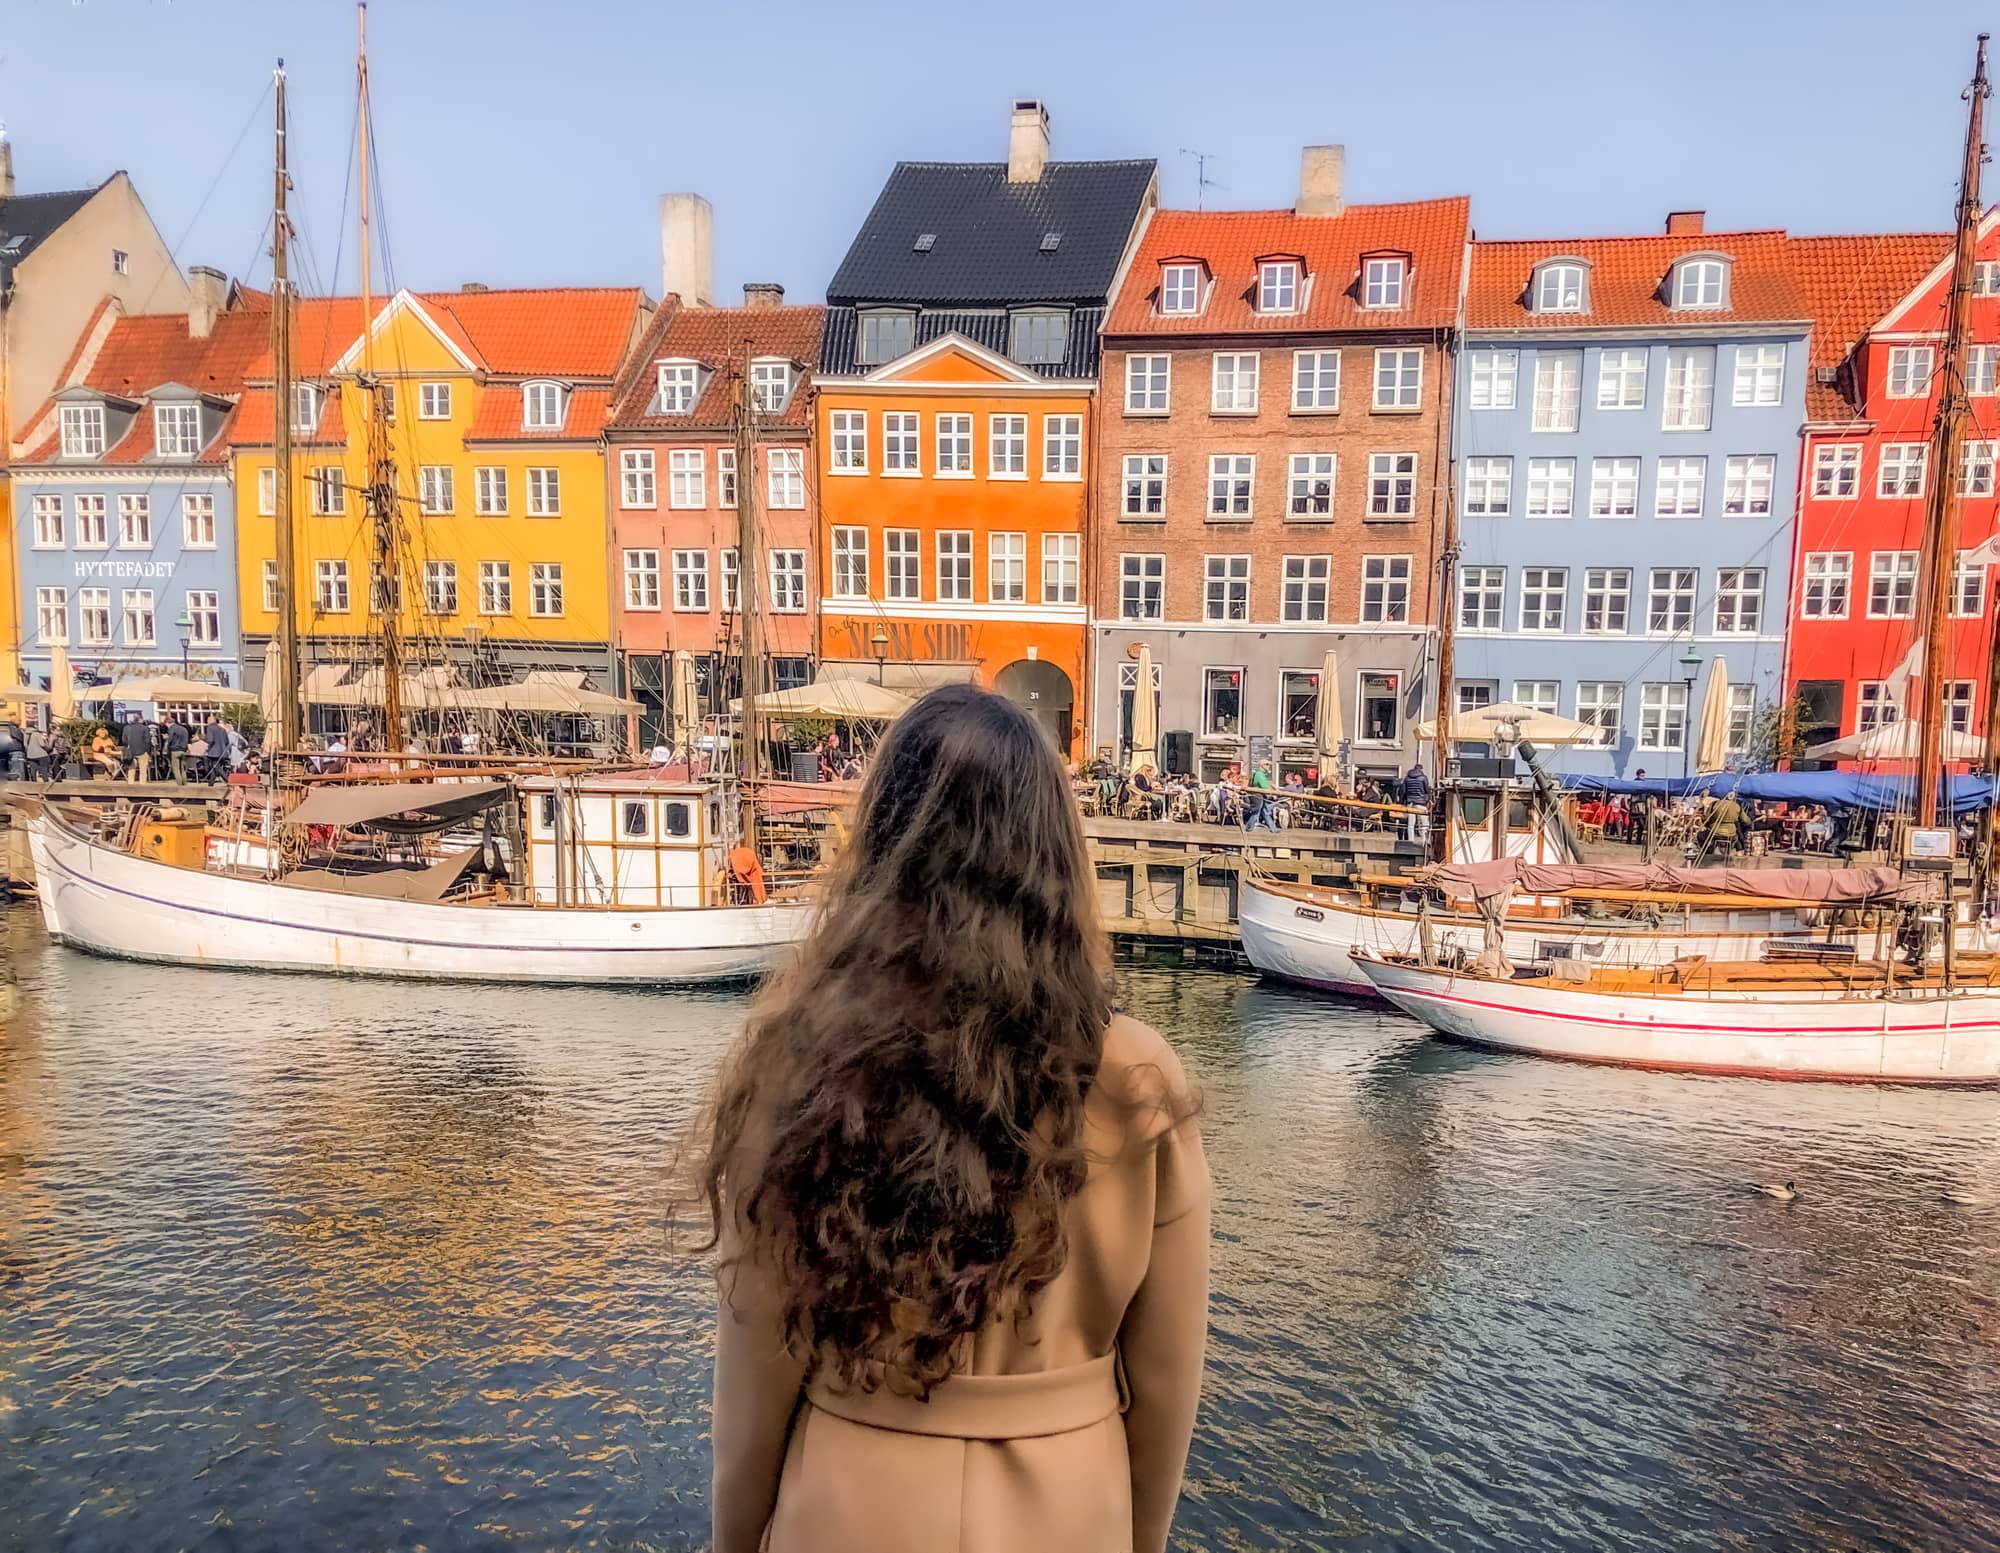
(307,1264)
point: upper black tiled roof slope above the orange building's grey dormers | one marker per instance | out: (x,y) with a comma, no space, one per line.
(989,235)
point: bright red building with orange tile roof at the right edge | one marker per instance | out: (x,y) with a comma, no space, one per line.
(1857,595)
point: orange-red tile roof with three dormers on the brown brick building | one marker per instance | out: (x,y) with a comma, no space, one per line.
(1433,233)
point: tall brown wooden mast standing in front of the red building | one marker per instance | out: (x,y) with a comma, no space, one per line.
(1947,443)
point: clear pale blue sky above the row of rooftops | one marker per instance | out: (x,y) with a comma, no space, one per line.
(527,143)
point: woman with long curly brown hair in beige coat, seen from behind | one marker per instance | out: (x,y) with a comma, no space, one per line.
(961,1206)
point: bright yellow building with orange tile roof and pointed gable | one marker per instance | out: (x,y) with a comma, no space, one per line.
(495,401)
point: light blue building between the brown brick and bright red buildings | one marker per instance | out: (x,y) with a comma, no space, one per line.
(1627,427)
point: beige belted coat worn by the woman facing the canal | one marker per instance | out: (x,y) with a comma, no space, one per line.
(1067,1436)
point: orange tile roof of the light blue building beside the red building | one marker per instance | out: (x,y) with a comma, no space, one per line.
(1629,281)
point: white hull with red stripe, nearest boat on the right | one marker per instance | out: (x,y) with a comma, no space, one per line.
(1809,1036)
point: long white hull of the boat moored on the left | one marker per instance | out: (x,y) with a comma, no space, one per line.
(111,904)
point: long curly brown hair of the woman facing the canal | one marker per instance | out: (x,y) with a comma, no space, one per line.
(901,1126)
